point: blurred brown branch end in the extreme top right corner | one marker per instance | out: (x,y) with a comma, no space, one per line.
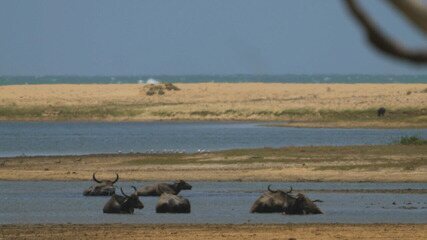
(414,11)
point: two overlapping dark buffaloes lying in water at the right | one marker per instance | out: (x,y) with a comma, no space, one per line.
(281,201)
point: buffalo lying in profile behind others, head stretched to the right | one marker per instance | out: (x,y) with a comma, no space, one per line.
(159,188)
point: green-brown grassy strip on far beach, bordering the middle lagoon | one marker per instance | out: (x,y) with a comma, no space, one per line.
(137,111)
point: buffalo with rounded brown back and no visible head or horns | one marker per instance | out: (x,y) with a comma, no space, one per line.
(169,203)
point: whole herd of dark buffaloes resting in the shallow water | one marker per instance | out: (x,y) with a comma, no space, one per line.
(271,201)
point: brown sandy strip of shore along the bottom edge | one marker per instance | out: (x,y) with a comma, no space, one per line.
(206,232)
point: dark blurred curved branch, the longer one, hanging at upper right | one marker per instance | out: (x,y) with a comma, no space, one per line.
(381,41)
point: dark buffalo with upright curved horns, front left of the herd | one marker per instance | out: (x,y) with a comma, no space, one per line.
(123,204)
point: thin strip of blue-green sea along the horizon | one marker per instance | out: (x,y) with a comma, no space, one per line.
(289,78)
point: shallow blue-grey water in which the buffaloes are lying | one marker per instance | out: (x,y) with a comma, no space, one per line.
(211,202)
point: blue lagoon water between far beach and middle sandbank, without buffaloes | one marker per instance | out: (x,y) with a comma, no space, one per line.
(76,138)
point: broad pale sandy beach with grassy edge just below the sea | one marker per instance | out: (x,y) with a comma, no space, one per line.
(317,105)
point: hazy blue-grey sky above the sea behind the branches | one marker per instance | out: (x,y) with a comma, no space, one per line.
(111,37)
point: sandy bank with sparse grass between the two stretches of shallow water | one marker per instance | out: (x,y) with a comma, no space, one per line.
(388,163)
